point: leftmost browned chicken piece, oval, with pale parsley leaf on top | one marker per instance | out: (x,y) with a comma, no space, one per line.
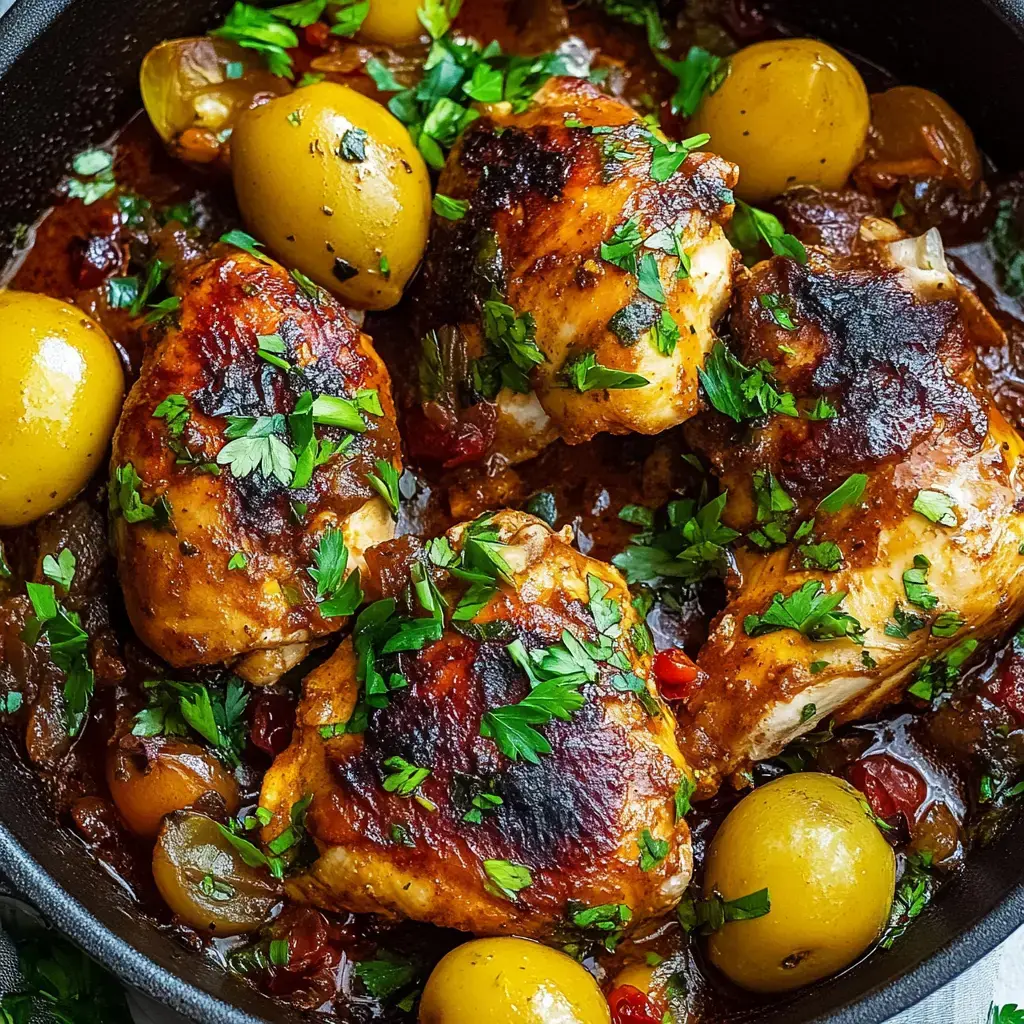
(187,599)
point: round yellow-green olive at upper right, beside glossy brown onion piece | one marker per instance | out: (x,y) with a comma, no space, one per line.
(790,112)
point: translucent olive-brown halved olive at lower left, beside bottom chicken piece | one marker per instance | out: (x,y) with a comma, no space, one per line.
(205,880)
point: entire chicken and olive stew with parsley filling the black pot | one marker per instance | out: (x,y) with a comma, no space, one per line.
(514,510)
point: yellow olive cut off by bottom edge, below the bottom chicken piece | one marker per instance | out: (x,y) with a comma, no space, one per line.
(511,982)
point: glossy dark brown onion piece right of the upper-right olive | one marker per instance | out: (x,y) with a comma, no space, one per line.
(915,136)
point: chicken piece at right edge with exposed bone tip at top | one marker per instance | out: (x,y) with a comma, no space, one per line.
(886,337)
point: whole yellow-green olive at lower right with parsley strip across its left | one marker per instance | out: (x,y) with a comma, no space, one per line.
(830,874)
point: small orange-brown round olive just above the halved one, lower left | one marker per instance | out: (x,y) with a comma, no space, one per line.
(149,781)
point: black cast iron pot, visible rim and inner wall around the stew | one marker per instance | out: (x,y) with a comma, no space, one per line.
(68,79)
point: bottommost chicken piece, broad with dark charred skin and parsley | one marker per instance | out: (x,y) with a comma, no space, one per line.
(592,818)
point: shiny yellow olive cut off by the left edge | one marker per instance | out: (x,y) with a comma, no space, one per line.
(61,394)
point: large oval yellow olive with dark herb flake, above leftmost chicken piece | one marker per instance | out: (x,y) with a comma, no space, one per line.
(335,188)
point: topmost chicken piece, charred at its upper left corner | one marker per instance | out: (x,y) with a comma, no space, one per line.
(546,188)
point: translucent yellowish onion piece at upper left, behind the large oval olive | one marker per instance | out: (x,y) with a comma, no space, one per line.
(195,89)
